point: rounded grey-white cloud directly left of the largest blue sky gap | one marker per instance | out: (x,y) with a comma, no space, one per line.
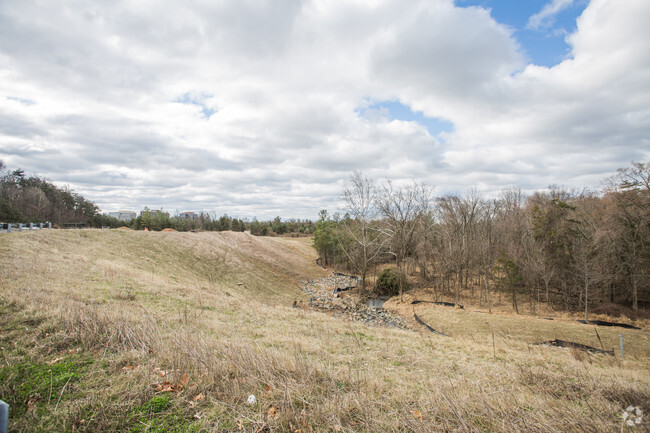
(417,53)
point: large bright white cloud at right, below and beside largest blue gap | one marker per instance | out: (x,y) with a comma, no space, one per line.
(589,111)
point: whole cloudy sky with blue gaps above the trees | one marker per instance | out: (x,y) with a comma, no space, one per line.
(261,108)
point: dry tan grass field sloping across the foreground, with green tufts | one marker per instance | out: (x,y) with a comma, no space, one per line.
(171,332)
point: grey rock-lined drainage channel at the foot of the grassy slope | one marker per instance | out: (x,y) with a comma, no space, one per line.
(331,294)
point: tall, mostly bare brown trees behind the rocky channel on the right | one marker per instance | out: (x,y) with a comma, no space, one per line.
(566,247)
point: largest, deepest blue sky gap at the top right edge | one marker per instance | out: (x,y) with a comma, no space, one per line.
(545,43)
